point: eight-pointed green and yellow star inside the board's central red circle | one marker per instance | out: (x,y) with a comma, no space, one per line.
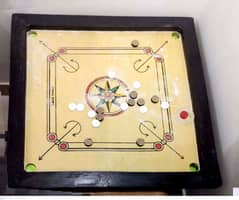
(108,95)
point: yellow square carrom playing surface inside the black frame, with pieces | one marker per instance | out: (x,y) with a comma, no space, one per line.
(108,101)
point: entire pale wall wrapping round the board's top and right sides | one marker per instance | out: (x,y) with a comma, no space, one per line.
(217,27)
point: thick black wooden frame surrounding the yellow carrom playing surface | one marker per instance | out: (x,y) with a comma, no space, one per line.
(207,177)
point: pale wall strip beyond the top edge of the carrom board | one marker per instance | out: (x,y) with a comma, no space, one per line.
(87,7)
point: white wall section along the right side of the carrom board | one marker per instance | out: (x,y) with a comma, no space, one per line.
(218,28)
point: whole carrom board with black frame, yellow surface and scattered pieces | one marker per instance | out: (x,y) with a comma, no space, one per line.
(117,101)
